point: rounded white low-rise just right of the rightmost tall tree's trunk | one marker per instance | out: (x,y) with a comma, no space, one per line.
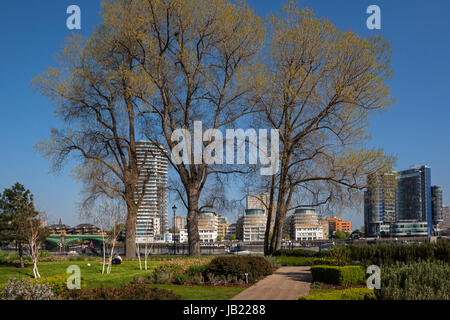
(304,224)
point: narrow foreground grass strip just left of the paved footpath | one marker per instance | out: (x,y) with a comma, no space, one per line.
(202,292)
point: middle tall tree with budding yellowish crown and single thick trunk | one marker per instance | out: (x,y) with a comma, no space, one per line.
(198,57)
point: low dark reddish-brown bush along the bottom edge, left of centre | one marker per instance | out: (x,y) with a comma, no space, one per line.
(132,291)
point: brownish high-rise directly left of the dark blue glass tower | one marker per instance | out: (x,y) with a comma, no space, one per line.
(380,202)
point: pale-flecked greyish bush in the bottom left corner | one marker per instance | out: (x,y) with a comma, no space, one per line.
(25,289)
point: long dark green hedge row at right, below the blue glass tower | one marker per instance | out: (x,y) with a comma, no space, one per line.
(390,253)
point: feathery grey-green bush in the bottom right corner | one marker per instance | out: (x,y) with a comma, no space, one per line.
(422,280)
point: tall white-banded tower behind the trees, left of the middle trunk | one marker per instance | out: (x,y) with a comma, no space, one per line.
(151,220)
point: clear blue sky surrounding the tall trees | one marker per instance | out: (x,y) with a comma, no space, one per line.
(416,130)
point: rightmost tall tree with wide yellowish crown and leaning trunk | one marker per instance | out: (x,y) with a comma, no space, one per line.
(322,85)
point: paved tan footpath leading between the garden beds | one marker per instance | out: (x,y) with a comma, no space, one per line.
(287,283)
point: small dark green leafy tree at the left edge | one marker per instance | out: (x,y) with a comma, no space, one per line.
(16,211)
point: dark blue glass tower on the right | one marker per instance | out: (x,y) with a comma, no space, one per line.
(414,196)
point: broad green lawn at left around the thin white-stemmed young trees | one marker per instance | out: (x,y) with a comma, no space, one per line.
(92,274)
